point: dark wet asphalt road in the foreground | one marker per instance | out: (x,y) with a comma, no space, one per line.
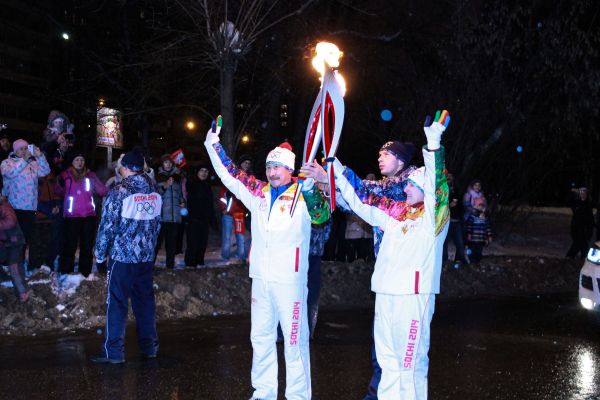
(516,348)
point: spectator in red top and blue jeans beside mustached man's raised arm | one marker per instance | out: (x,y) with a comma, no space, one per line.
(232,210)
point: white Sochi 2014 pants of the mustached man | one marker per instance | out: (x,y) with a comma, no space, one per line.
(282,303)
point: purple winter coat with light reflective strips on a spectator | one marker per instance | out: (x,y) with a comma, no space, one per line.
(79,200)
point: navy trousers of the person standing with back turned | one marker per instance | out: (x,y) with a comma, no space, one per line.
(130,281)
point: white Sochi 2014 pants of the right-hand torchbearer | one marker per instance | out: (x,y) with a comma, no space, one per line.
(401,343)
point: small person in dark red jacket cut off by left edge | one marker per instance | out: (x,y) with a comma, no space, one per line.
(11,253)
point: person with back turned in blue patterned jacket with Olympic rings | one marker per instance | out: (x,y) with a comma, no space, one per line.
(127,234)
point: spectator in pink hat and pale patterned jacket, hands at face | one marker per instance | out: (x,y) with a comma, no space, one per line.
(21,171)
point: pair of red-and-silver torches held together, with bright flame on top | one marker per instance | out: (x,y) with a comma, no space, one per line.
(326,117)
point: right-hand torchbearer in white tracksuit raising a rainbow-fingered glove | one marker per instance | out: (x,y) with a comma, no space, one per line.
(407,270)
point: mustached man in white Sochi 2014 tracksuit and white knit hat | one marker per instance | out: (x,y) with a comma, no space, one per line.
(278,264)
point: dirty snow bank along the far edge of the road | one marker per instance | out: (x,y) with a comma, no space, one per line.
(190,293)
